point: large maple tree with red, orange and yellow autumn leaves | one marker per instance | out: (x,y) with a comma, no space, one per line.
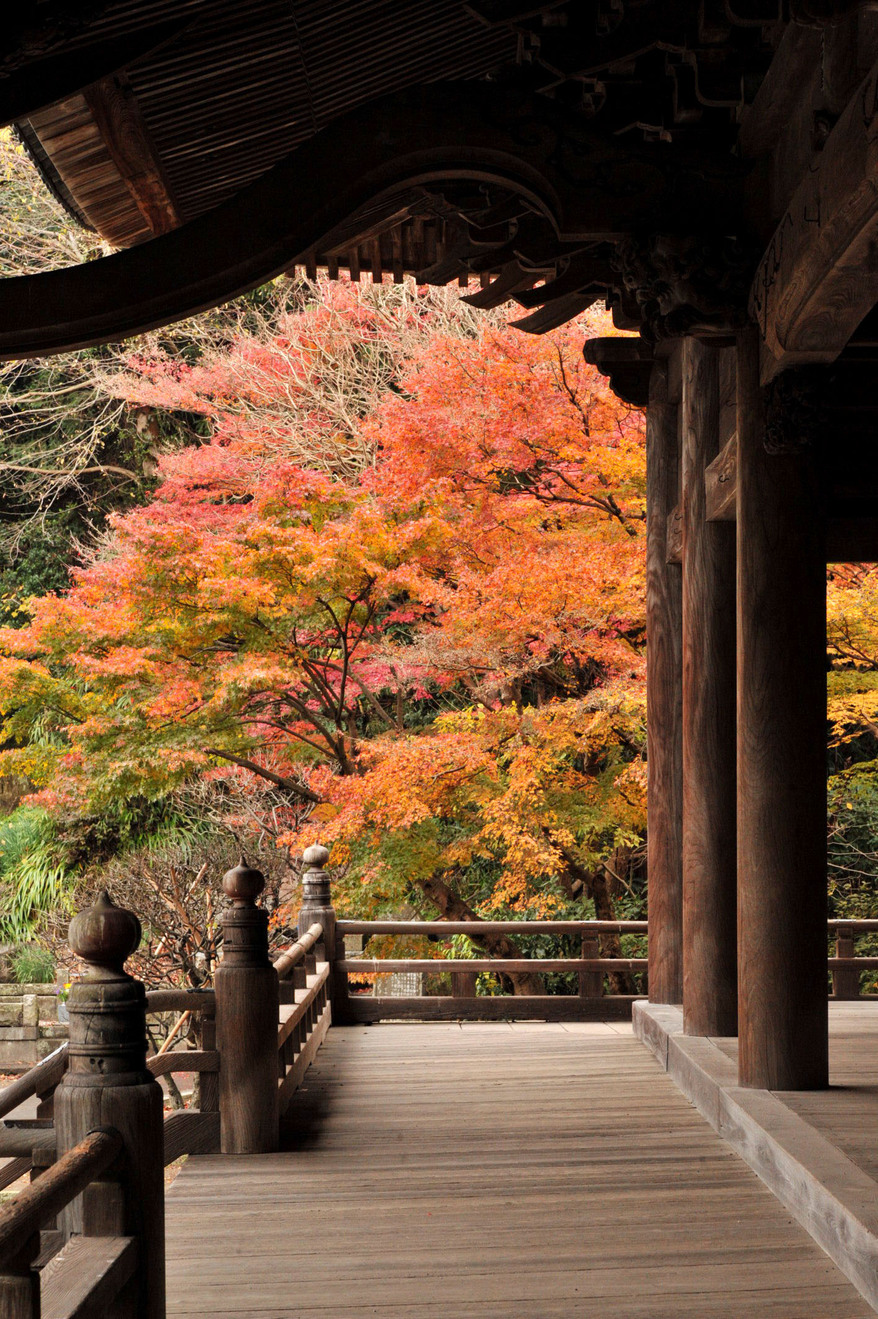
(417,610)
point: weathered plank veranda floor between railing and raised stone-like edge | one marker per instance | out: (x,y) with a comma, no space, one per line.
(491,1172)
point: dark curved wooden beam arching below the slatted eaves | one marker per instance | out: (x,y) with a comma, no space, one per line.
(442,133)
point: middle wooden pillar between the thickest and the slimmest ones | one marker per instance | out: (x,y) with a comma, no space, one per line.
(710,863)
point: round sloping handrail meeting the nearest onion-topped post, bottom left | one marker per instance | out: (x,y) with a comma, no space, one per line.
(23,1218)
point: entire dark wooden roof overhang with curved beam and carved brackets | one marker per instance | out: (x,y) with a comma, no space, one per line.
(643,152)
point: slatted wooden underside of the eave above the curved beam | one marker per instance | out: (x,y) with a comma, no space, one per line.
(234,90)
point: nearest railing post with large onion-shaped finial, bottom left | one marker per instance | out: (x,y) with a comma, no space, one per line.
(107,1085)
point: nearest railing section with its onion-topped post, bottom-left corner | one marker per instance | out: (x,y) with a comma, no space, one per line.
(106,1254)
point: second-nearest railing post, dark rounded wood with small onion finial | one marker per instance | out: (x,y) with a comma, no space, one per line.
(247,1020)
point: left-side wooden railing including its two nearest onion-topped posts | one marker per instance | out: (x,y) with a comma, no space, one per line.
(259,1031)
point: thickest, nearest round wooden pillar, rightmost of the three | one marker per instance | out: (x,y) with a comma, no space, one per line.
(782,751)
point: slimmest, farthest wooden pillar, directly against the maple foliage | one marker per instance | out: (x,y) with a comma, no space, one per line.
(664,700)
